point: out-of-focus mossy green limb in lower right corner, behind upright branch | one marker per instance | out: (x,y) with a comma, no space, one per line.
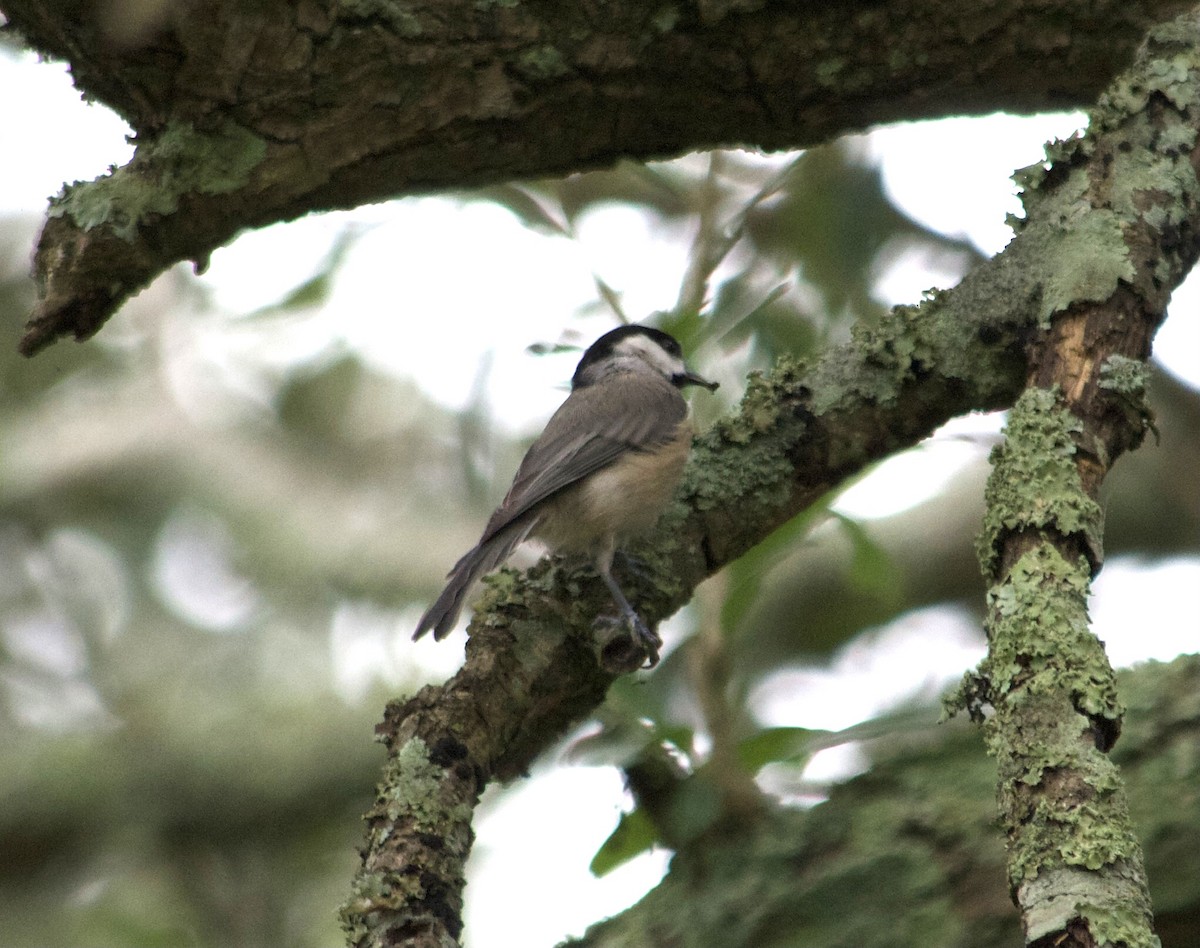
(908,855)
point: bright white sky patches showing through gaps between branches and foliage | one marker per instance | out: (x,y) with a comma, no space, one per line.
(535,845)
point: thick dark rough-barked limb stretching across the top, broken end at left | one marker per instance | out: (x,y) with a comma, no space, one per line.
(285,109)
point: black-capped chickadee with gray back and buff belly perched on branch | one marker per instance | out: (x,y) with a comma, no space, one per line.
(602,472)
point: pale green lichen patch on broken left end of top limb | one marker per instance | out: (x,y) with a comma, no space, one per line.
(177,163)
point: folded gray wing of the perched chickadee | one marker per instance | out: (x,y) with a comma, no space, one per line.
(591,430)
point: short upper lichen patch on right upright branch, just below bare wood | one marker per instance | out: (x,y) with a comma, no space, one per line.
(1036,484)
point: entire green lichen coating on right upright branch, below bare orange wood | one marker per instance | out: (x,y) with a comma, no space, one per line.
(1053,691)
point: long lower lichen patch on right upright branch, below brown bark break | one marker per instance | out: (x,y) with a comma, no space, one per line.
(1048,679)
